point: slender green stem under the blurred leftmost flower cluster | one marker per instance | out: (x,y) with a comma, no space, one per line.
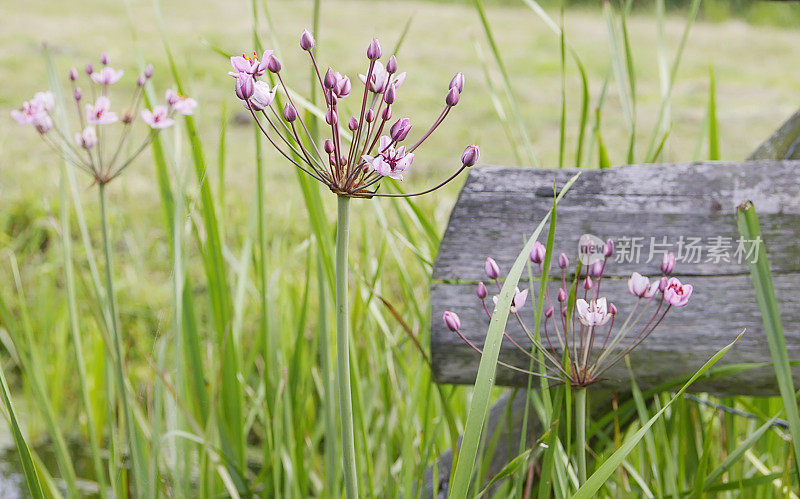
(136,467)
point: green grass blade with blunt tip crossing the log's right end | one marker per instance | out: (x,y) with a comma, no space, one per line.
(750,230)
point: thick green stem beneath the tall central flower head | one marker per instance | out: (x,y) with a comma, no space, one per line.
(343,349)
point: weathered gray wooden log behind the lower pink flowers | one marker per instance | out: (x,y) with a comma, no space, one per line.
(498,207)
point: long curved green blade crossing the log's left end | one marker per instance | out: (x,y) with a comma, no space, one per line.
(484,382)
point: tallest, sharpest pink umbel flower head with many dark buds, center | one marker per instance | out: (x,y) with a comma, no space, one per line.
(361,149)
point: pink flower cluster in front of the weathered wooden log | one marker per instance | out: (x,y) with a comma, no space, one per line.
(576,341)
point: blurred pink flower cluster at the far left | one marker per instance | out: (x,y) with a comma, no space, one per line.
(97,148)
